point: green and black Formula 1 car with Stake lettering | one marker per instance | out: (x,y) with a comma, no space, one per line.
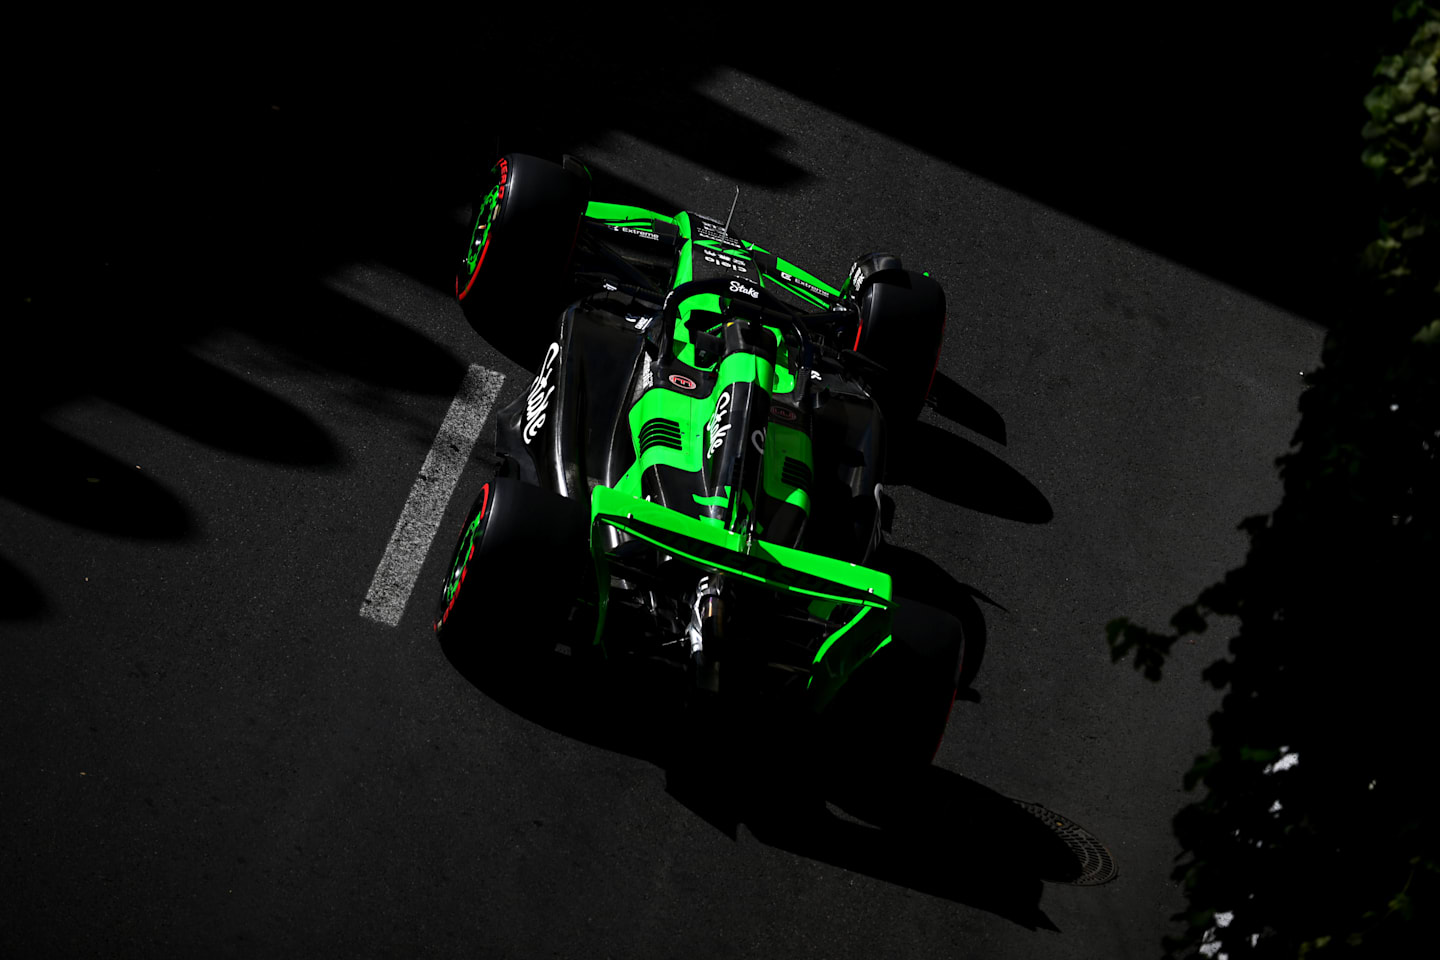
(696,470)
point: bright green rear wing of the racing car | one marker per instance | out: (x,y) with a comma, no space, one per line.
(855,601)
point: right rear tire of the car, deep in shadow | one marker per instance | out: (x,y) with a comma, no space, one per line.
(891,716)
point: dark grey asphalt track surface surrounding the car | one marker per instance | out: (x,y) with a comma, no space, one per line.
(222,411)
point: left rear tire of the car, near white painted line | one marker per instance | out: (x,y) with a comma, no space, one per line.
(516,576)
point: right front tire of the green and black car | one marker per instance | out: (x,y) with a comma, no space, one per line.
(902,327)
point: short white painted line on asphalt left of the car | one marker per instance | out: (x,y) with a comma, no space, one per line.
(401,565)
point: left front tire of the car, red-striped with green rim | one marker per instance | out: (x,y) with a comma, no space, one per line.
(521,240)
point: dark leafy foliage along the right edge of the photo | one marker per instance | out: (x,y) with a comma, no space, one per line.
(1311,836)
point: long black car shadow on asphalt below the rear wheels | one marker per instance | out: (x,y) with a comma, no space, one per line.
(935,833)
